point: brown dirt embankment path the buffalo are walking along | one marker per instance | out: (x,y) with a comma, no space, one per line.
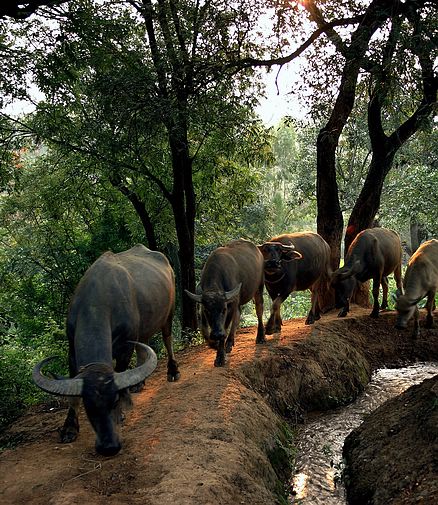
(217,435)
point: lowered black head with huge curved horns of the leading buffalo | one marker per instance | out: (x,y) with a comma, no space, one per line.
(101,390)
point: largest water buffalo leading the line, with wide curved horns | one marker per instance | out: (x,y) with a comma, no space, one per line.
(122,299)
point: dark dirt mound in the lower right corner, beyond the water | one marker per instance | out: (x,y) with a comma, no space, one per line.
(393,456)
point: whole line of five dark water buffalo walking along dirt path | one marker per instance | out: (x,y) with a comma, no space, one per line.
(123,299)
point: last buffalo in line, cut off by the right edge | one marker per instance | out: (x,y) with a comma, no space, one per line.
(421,280)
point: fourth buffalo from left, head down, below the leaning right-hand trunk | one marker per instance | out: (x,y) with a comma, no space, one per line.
(374,254)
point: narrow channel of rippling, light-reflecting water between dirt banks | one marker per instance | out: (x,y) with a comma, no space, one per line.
(318,464)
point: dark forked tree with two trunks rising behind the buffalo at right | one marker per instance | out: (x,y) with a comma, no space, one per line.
(361,53)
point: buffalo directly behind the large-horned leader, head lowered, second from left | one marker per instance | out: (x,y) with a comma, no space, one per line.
(231,277)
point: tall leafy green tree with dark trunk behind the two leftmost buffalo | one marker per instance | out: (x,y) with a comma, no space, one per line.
(139,87)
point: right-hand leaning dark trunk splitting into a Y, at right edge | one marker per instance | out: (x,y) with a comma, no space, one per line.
(383,113)
